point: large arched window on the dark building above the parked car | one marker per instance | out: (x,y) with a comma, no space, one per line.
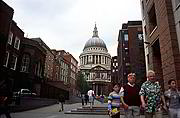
(25,63)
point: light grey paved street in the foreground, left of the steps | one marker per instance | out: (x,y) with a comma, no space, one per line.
(52,112)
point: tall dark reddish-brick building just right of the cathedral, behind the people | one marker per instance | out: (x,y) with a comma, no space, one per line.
(131,52)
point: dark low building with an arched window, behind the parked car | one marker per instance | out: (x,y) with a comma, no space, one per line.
(31,65)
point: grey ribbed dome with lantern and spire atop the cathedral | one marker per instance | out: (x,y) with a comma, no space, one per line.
(95,41)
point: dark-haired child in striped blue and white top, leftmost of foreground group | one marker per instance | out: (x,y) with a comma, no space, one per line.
(114,102)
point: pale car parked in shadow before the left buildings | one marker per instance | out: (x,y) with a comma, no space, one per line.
(26,93)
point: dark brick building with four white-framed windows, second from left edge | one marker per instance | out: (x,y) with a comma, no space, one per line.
(12,55)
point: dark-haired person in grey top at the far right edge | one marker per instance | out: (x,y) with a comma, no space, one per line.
(173,98)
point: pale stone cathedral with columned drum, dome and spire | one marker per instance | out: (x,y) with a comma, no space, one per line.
(95,64)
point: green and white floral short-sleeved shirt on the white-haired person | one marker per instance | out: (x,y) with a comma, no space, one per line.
(152,94)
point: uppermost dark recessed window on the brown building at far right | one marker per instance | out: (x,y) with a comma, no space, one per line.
(152,19)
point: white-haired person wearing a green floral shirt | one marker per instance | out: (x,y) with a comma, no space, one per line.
(152,96)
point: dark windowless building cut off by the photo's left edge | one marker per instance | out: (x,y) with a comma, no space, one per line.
(6,15)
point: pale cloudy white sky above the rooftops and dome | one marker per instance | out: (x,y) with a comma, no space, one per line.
(68,24)
